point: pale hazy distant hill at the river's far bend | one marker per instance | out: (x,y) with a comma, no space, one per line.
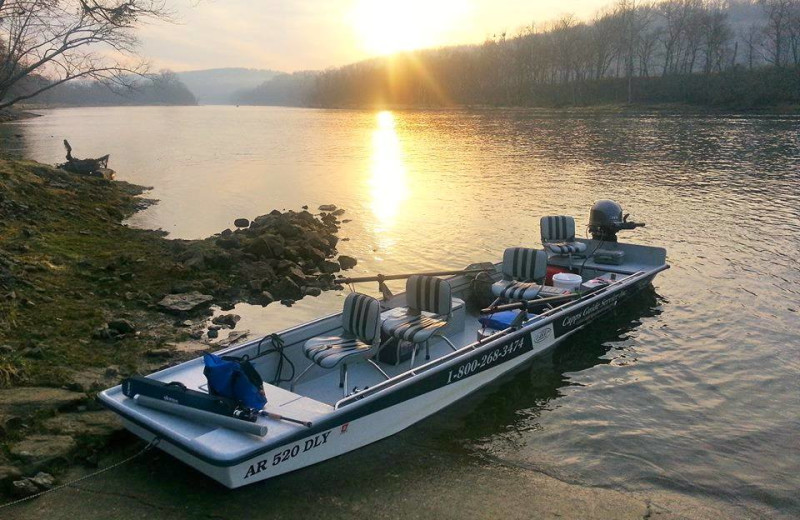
(216,86)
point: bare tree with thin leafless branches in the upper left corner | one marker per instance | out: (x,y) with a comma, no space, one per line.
(44,43)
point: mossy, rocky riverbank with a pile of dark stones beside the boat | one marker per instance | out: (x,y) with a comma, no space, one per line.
(86,300)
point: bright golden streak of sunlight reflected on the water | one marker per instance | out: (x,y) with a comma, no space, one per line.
(388,181)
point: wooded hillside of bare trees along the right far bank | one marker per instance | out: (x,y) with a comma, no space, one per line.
(737,52)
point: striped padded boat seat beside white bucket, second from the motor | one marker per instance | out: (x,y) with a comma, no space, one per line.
(523,271)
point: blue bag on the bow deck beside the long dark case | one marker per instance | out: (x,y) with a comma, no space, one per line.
(236,379)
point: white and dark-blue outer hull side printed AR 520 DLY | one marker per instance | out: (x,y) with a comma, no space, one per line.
(363,421)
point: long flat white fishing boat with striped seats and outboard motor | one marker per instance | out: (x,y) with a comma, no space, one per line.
(340,382)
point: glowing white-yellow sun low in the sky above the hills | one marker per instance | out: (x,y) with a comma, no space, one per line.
(389,26)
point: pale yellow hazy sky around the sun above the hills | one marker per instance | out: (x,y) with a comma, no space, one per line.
(294,35)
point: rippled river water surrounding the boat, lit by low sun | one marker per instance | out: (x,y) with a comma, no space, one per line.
(693,389)
